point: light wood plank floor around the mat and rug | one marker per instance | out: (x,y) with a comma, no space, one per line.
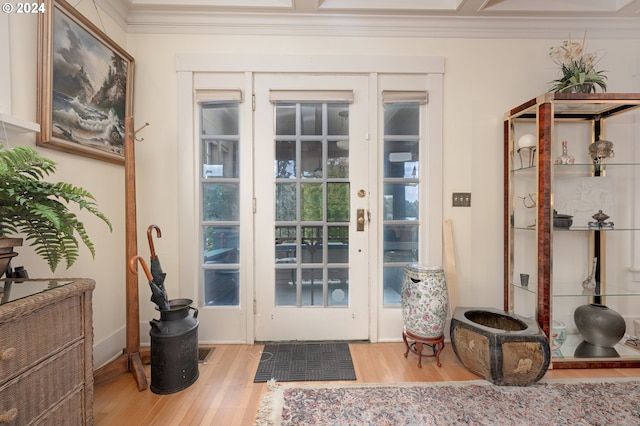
(225,394)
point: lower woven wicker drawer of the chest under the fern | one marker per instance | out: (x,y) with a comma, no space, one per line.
(39,391)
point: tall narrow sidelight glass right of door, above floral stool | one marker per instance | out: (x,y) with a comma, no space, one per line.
(401,164)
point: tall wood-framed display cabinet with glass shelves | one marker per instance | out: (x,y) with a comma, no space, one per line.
(538,133)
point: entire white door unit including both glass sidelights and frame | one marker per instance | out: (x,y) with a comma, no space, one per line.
(276,162)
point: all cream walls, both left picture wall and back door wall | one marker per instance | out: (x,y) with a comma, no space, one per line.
(483,79)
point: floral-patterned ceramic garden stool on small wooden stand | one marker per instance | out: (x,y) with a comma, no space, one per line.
(425,301)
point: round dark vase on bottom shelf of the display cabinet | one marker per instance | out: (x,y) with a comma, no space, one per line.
(599,325)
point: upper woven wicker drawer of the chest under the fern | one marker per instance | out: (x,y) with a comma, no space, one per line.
(27,341)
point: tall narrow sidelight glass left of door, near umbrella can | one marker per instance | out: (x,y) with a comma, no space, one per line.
(220,198)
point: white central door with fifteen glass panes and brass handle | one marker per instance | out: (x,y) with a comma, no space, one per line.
(311,230)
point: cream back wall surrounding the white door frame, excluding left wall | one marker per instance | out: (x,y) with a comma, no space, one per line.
(483,79)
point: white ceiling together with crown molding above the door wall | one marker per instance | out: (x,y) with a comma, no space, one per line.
(428,18)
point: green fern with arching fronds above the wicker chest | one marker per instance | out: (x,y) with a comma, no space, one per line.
(39,210)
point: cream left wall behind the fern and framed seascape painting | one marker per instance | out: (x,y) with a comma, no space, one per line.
(104,180)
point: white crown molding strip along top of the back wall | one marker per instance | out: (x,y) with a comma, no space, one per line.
(379,25)
